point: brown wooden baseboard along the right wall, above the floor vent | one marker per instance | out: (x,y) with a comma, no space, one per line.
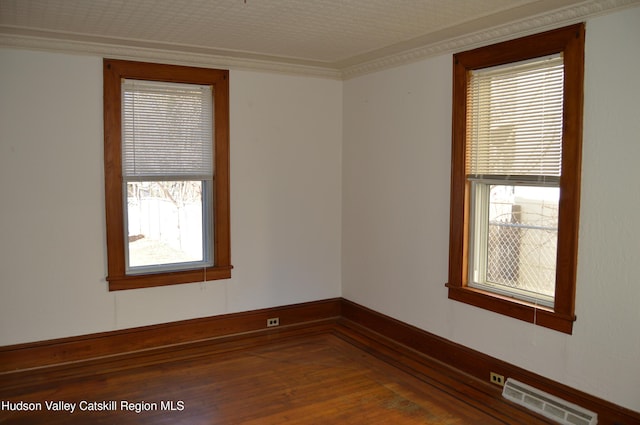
(475,363)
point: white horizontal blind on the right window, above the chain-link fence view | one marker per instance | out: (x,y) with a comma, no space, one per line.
(514,125)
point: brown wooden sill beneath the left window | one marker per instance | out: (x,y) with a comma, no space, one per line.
(119,283)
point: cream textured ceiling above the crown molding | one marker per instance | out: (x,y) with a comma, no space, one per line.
(332,34)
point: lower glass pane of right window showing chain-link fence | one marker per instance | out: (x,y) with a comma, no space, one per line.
(522,239)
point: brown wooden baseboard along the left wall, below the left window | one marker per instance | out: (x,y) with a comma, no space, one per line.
(87,347)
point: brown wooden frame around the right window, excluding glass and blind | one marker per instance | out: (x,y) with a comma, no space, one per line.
(568,42)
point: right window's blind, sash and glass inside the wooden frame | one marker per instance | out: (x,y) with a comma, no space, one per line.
(514,158)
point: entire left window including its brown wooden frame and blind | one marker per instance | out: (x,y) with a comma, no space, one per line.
(166,174)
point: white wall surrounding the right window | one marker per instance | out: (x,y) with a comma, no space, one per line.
(396,165)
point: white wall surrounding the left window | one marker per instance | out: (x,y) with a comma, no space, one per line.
(285,201)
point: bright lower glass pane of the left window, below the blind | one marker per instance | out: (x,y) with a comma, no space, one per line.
(165,223)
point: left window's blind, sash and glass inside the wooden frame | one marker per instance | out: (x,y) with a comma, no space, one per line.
(167,170)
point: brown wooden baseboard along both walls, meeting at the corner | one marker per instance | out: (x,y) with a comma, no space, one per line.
(345,315)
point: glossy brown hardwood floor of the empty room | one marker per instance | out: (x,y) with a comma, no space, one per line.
(327,373)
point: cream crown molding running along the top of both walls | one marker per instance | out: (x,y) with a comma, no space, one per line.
(187,55)
